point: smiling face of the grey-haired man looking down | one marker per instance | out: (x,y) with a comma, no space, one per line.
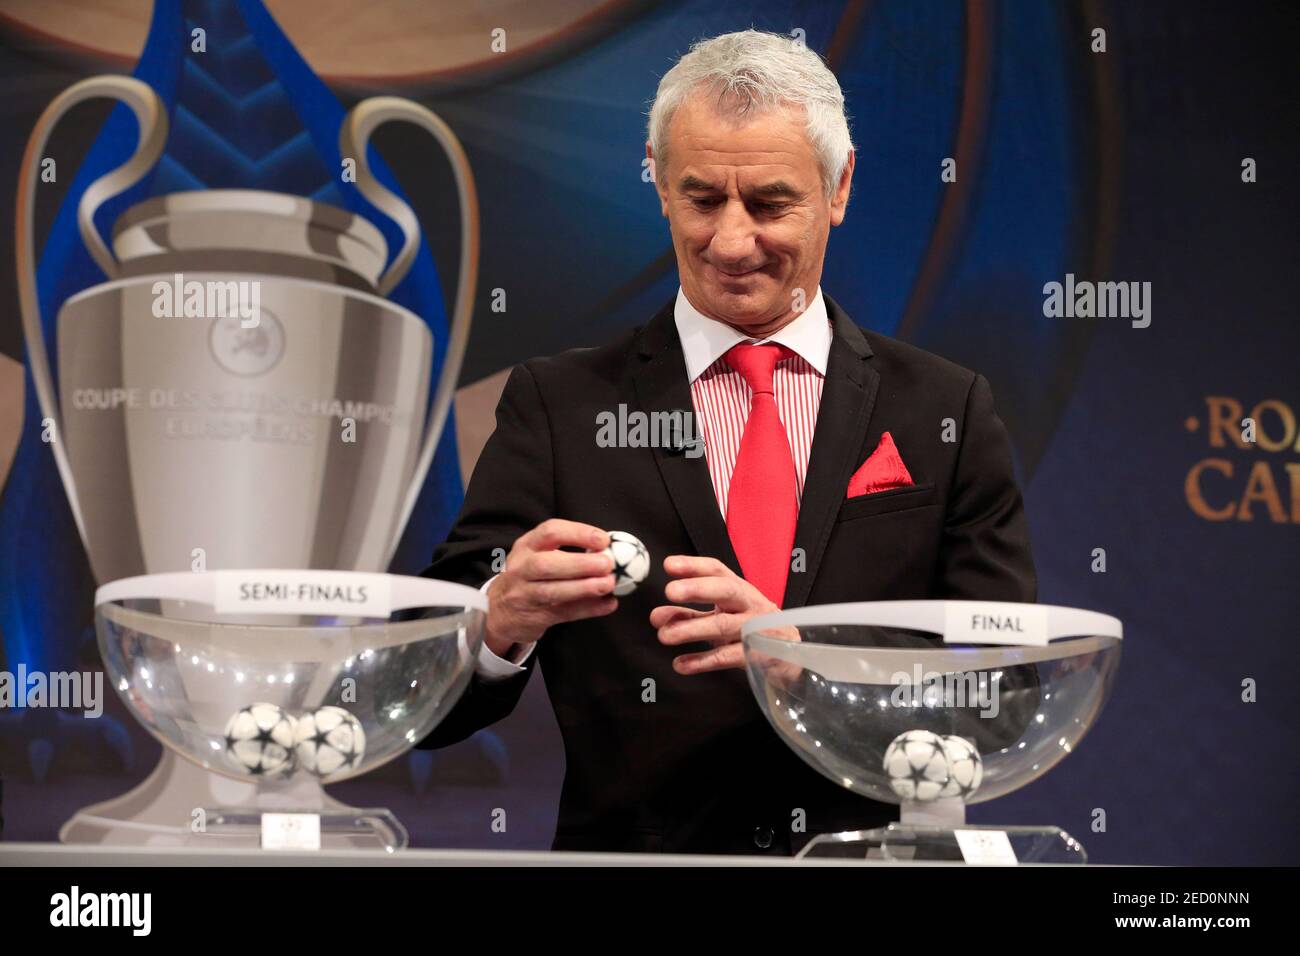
(748,213)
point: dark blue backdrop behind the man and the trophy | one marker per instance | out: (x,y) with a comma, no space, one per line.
(1120,166)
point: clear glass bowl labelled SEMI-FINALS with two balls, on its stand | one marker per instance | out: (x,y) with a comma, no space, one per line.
(278,682)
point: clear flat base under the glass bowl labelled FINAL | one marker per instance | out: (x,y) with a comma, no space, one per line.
(970,845)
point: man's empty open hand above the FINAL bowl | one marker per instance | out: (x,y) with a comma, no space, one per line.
(707,581)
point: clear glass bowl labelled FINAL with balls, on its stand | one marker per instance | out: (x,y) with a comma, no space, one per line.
(935,707)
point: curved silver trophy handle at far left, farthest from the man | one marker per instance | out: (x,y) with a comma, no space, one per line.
(151,118)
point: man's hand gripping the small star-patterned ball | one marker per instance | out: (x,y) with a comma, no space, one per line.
(543,586)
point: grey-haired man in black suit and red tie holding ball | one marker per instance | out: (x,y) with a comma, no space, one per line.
(666,747)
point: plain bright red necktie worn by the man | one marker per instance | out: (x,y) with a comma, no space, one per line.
(762,505)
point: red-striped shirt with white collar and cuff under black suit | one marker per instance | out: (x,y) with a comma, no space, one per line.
(721,399)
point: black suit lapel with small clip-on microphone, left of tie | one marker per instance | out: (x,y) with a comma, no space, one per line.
(660,379)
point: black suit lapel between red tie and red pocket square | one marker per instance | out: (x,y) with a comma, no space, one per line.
(848,397)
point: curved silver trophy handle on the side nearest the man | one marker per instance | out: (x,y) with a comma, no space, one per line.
(353,140)
